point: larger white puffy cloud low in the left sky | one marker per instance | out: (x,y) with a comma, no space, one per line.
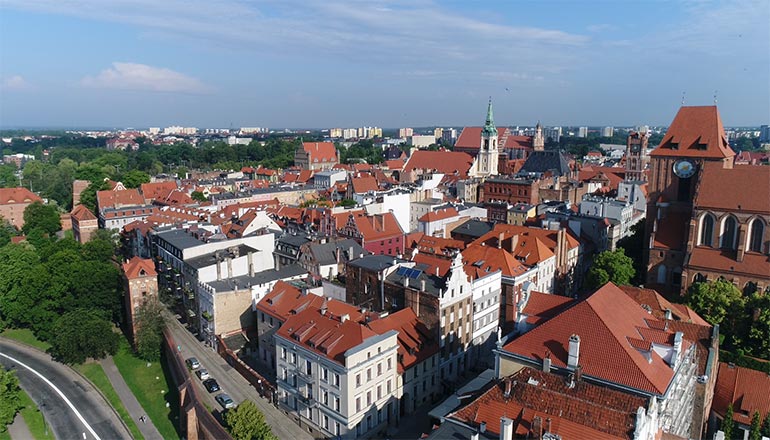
(135,76)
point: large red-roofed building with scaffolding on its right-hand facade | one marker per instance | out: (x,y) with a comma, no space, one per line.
(637,355)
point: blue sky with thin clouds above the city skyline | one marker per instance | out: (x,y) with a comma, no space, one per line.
(338,63)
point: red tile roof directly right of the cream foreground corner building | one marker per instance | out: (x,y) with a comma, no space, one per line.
(415,343)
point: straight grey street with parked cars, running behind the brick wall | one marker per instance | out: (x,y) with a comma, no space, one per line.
(230,382)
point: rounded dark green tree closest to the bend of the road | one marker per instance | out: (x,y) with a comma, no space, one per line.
(82,334)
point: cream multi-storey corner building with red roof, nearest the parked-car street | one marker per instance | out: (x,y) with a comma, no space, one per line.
(337,374)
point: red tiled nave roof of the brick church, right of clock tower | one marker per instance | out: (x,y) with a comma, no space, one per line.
(744,188)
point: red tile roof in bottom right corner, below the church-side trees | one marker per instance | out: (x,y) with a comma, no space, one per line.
(746,389)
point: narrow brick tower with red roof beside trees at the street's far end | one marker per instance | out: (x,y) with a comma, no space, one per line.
(141,281)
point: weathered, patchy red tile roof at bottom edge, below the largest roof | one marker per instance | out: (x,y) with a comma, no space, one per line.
(581,412)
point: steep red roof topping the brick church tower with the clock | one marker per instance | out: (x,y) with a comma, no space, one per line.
(695,132)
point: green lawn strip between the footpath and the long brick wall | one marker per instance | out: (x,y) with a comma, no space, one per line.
(153,388)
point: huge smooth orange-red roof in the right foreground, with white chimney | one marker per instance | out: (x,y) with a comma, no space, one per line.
(607,347)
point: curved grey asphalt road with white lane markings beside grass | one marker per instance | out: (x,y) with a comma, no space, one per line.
(81,413)
